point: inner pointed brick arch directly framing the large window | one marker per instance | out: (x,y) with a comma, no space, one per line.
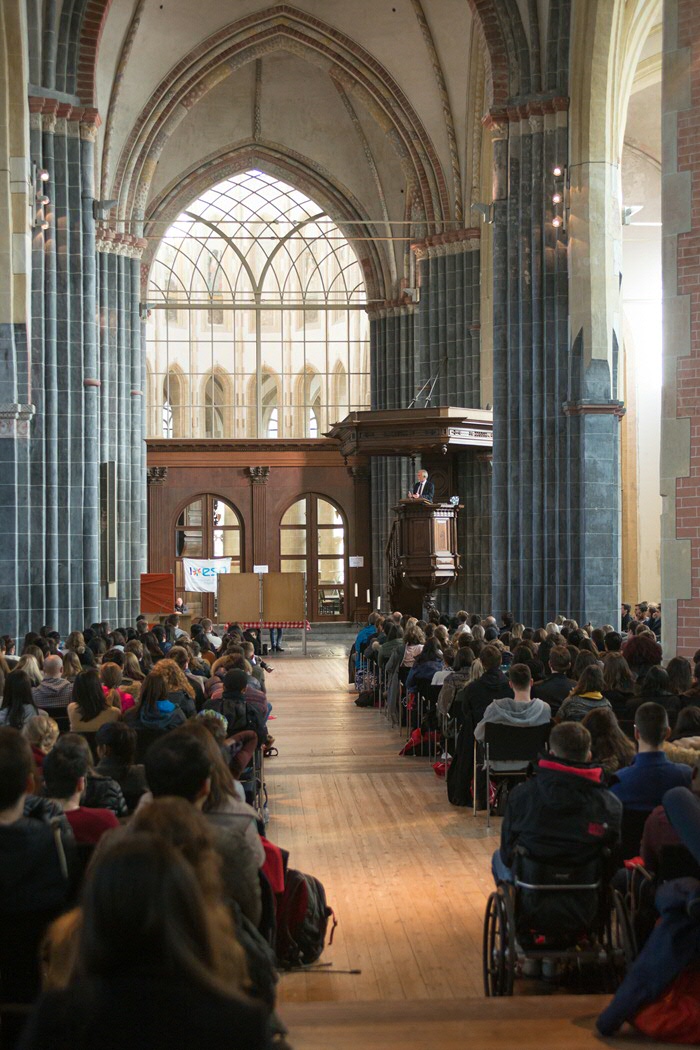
(336,201)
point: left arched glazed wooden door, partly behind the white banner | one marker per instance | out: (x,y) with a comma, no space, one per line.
(207,528)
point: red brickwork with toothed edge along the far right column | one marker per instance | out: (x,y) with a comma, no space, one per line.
(688,398)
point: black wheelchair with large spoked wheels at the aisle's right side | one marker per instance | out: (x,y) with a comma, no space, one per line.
(570,917)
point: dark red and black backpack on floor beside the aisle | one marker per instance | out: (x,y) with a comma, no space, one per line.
(303,920)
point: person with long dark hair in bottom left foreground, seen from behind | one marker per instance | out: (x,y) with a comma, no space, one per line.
(149,972)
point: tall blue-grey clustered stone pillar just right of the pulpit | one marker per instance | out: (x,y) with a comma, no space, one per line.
(556,467)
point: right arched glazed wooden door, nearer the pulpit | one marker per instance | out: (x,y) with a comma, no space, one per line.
(312,540)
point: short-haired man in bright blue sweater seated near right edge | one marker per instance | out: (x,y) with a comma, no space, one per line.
(643,786)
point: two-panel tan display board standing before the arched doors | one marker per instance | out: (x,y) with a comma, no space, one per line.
(240,597)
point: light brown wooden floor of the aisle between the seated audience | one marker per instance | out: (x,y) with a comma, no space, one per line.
(408,876)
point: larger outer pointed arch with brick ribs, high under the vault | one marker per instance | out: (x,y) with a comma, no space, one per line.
(282,28)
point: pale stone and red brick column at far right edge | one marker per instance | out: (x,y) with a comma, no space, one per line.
(681,404)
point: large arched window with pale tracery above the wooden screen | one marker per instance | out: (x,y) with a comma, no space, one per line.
(257,284)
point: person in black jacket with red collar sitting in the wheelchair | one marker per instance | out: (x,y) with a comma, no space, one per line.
(564,814)
